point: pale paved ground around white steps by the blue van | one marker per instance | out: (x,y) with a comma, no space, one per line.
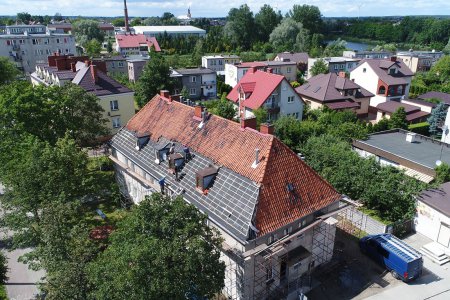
(433,285)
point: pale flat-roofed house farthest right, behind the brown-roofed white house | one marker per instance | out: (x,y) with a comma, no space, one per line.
(420,60)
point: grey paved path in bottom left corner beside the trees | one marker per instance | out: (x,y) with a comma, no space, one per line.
(22,281)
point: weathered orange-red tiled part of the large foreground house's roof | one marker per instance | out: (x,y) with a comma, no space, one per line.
(228,145)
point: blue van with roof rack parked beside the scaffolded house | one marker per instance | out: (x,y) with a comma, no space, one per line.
(403,261)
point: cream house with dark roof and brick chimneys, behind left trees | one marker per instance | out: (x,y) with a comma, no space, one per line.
(116,100)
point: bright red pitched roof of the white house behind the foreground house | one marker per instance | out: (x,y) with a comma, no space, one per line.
(257,86)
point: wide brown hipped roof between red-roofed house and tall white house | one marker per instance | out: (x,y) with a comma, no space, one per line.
(327,87)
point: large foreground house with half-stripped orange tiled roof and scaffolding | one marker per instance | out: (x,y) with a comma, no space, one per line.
(273,212)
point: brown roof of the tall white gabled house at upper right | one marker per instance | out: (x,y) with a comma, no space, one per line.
(381,68)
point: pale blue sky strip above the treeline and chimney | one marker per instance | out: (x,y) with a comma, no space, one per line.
(220,8)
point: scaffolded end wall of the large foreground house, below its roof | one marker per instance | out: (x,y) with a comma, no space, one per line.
(279,269)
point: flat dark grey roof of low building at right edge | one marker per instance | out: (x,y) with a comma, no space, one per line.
(425,151)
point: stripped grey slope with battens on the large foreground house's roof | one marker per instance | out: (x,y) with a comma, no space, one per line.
(230,202)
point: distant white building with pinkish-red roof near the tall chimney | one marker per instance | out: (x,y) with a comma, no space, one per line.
(135,44)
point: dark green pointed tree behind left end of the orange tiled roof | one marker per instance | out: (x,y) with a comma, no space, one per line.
(155,77)
